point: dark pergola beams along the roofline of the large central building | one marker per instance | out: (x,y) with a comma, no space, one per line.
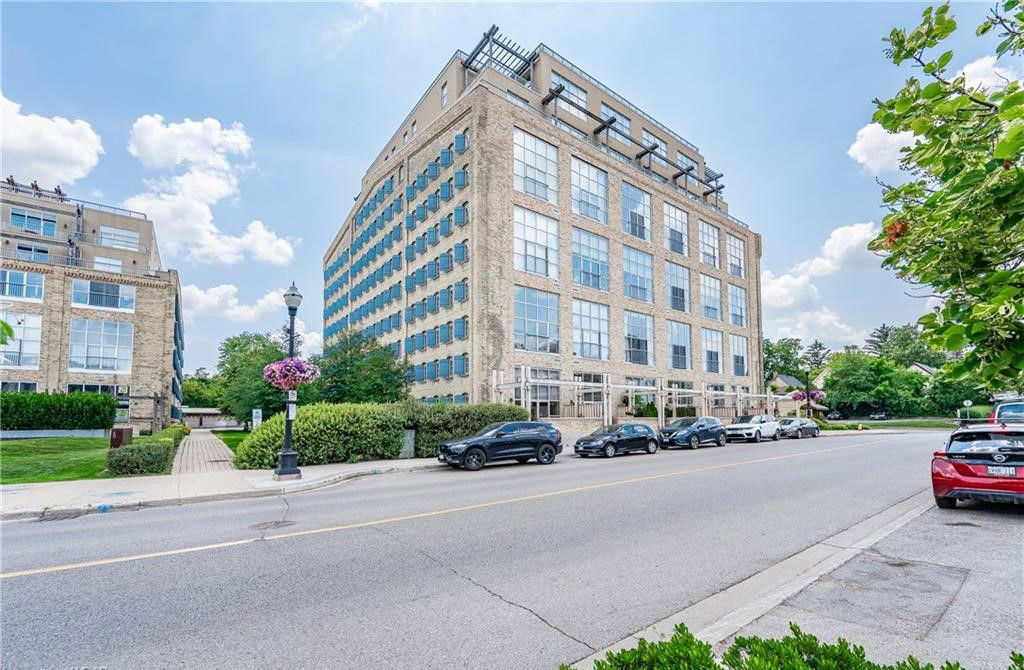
(496,51)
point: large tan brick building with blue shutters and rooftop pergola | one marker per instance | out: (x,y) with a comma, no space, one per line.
(527,218)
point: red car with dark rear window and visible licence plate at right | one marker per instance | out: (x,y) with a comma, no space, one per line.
(982,463)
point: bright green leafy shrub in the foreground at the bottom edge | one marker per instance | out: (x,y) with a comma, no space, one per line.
(799,651)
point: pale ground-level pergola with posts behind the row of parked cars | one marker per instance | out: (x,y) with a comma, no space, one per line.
(605,401)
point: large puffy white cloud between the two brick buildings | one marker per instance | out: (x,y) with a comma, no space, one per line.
(182,206)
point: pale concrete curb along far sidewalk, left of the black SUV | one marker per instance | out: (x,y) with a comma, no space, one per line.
(51,513)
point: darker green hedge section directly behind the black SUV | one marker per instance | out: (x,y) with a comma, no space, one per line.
(438,424)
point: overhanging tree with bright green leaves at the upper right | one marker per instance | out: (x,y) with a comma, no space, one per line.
(954,228)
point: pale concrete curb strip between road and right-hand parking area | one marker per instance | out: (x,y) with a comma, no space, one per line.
(719,617)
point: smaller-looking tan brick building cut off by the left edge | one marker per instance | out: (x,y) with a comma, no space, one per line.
(92,309)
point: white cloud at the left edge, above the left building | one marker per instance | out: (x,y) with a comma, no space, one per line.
(52,151)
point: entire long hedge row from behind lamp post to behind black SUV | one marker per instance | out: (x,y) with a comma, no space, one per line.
(353,433)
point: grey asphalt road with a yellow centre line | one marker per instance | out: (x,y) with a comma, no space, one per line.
(514,567)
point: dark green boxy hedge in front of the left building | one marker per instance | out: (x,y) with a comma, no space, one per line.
(76,411)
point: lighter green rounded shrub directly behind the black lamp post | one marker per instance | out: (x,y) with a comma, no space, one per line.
(327,434)
